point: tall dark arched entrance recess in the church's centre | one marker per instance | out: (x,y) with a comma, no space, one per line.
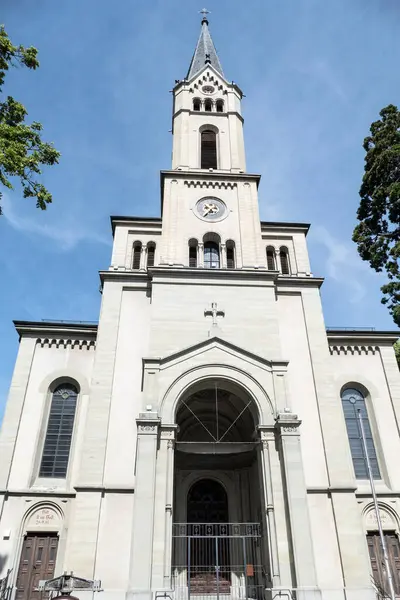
(217,531)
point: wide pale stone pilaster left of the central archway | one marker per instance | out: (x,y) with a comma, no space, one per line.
(143,508)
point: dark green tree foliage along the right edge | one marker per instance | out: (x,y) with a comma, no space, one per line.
(378,233)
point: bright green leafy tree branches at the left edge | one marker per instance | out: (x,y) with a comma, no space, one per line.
(22,151)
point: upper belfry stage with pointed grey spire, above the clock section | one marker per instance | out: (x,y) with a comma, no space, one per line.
(207,120)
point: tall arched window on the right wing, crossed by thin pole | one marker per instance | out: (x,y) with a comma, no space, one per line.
(352,400)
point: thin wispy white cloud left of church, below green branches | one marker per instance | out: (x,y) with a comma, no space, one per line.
(66,239)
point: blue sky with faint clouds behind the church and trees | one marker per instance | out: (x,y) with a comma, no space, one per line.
(315,75)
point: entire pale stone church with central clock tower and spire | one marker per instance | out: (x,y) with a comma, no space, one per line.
(202,441)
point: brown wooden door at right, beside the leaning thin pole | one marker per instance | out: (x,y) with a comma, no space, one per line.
(377,560)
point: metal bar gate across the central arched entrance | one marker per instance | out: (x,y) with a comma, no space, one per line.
(218,560)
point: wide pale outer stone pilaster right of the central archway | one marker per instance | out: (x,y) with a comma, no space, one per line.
(296,497)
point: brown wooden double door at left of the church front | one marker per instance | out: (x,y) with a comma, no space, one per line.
(38,558)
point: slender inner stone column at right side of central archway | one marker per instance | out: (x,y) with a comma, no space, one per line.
(267,440)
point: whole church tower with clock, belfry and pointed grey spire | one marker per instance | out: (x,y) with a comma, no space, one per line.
(209,201)
